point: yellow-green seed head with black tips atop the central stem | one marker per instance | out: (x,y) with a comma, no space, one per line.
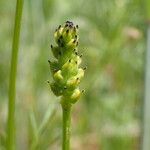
(65,68)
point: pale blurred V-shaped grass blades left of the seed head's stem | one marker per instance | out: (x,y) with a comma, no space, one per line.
(38,131)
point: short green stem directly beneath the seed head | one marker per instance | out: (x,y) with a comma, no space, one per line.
(66,127)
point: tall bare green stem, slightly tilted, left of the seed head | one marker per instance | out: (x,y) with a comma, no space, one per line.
(12,82)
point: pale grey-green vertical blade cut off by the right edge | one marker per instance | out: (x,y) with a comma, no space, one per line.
(146,117)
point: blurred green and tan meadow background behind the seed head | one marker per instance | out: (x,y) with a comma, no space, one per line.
(112,40)
